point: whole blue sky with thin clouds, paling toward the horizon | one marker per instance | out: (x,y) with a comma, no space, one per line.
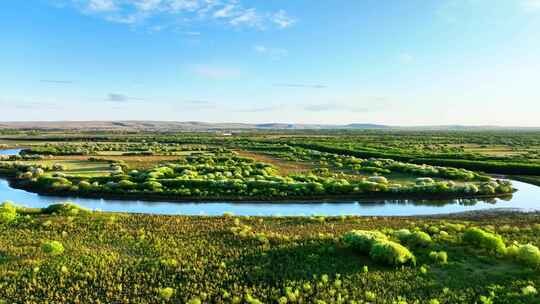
(415,62)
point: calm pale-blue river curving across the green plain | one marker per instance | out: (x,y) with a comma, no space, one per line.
(526,198)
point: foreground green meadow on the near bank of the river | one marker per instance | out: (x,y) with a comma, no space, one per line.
(118,258)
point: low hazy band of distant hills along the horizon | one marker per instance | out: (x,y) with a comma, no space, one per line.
(177,126)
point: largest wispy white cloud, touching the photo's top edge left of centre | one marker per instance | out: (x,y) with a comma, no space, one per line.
(151,13)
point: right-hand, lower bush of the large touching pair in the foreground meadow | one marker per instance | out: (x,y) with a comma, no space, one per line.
(391,253)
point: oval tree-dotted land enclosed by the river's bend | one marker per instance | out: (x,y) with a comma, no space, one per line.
(214,168)
